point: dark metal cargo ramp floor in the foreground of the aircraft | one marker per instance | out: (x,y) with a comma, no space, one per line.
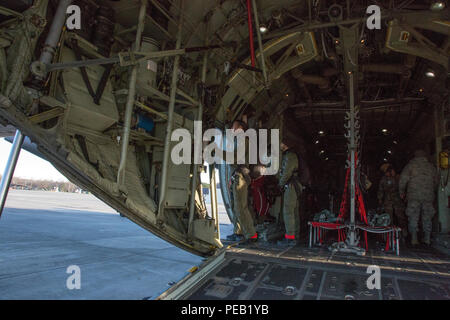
(258,272)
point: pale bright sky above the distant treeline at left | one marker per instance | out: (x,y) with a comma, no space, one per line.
(29,166)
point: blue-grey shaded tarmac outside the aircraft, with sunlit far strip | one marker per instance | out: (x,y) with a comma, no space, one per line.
(43,233)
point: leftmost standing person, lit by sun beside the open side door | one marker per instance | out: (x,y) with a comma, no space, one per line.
(240,182)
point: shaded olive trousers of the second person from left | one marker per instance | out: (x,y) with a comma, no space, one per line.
(290,211)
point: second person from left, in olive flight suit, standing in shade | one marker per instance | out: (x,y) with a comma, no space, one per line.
(289,183)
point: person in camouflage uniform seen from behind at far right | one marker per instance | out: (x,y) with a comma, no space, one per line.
(418,183)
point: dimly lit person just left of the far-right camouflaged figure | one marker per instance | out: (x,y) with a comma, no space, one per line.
(389,198)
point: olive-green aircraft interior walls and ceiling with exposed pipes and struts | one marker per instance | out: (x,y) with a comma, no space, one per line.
(101,101)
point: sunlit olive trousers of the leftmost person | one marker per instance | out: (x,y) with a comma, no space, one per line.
(243,220)
